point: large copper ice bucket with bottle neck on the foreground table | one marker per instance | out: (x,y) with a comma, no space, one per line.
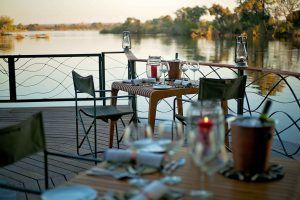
(251,142)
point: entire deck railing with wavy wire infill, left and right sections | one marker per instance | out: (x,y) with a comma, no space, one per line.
(47,78)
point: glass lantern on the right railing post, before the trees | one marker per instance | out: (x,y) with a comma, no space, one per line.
(241,55)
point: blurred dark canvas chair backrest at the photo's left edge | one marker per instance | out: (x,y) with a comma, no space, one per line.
(22,139)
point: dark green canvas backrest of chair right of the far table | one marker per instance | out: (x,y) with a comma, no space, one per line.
(223,89)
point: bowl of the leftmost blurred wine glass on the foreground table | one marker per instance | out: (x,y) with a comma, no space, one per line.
(138,136)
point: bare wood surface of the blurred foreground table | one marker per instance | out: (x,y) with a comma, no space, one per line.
(223,188)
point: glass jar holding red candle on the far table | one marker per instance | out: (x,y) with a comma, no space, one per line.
(152,67)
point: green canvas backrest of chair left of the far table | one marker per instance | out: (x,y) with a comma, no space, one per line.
(83,84)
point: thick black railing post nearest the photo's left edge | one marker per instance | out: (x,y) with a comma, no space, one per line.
(12,78)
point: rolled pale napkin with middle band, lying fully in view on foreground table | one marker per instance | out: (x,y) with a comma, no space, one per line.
(140,158)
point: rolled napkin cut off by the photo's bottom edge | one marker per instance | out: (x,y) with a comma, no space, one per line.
(155,190)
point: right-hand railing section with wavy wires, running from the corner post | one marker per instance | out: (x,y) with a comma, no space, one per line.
(281,87)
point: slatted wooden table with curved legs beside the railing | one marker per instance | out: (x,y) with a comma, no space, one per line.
(154,95)
